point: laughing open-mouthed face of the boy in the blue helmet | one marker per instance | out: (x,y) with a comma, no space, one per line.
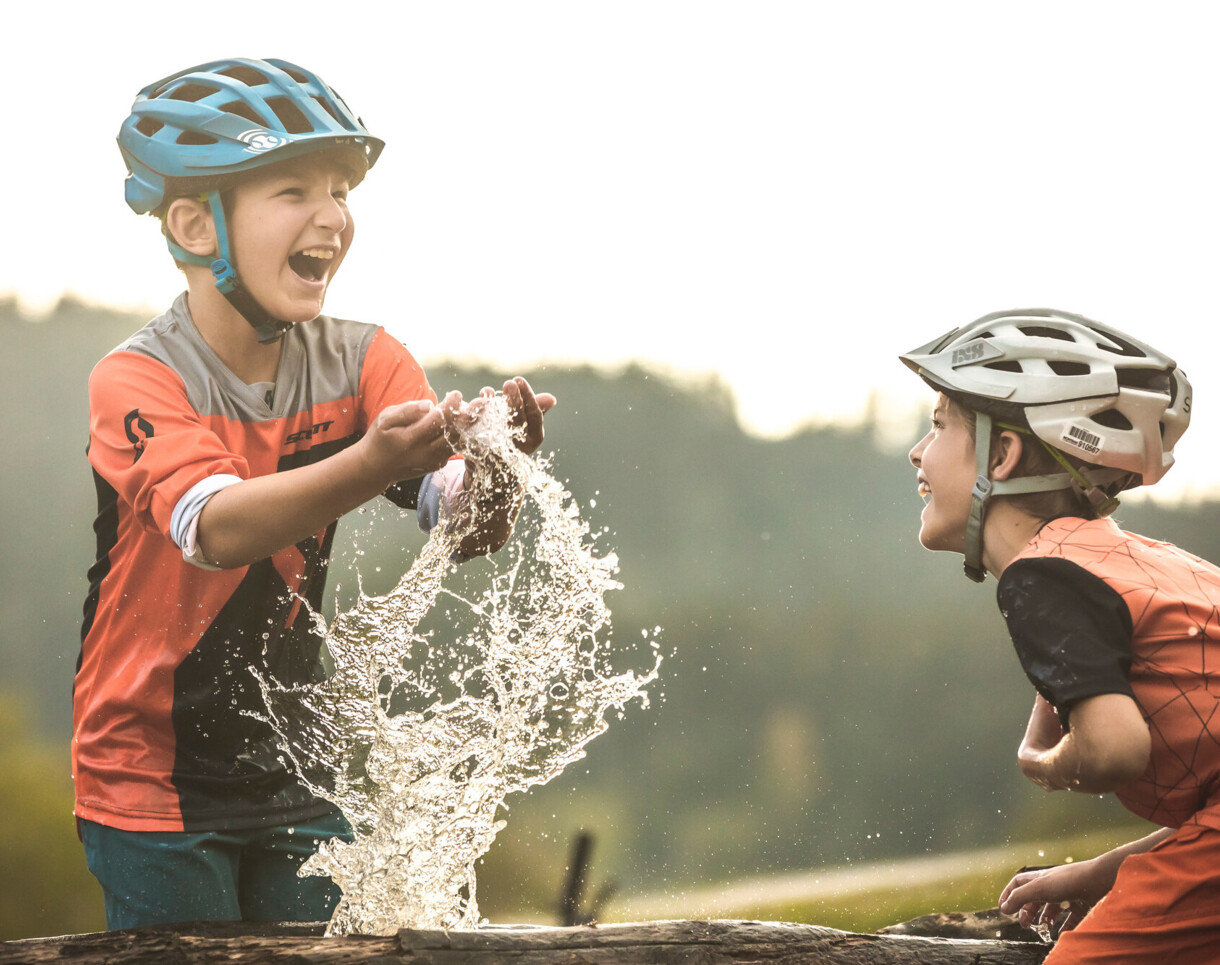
(290,229)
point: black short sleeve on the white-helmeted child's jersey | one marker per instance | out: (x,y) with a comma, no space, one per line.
(1071,629)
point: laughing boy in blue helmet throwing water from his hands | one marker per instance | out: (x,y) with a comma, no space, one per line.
(226,437)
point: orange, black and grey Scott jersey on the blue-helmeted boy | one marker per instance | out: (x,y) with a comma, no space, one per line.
(162,740)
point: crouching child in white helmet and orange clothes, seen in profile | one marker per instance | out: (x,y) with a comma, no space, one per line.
(1042,419)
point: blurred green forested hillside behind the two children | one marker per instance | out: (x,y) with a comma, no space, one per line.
(831,692)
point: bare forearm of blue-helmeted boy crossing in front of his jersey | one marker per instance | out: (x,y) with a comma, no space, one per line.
(257,518)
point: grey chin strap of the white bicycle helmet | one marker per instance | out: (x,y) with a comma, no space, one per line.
(985,489)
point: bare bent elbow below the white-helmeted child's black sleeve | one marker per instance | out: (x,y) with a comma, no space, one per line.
(1107,747)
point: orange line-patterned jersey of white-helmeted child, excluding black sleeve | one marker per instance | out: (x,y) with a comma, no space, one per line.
(1174,601)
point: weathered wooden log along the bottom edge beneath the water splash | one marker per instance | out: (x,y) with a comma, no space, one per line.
(645,944)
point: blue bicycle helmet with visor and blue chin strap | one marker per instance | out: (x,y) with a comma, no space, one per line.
(191,130)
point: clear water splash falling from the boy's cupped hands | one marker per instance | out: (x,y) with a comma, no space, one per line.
(419,741)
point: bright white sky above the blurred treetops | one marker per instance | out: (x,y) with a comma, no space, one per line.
(789,195)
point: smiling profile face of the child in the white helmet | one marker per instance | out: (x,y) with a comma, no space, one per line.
(947,472)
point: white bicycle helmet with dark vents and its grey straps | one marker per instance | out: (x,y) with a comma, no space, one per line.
(1079,386)
